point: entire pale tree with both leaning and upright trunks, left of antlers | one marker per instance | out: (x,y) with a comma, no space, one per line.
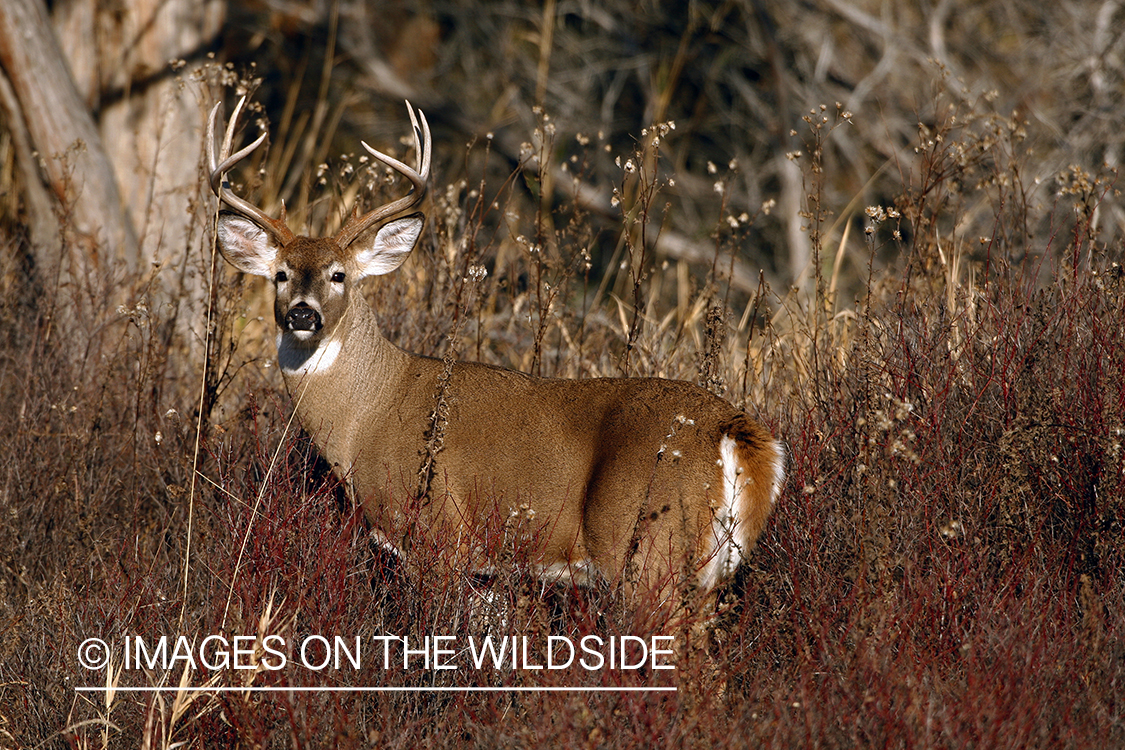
(131,195)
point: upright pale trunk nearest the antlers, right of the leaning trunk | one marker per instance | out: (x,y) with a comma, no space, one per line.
(128,68)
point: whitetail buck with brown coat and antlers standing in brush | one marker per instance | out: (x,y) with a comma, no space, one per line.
(655,477)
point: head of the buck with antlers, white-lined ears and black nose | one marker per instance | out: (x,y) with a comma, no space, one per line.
(313,277)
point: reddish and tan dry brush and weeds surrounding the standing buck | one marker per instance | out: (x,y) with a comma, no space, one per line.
(944,568)
